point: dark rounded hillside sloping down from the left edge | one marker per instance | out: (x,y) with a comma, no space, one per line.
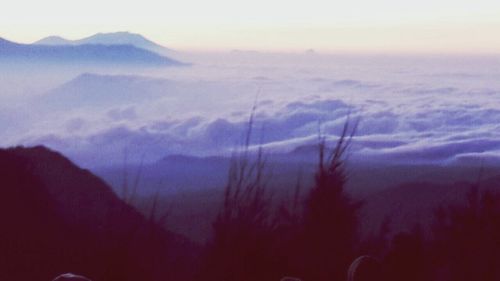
(59,218)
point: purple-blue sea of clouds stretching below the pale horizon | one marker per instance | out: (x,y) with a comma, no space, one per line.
(414,109)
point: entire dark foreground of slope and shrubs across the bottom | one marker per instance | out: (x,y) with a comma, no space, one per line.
(57,218)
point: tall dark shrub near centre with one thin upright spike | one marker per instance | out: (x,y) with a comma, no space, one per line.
(243,239)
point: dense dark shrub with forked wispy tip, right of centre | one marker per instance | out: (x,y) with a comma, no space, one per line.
(330,216)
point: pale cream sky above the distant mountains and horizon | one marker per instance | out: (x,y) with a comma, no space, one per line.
(279,25)
